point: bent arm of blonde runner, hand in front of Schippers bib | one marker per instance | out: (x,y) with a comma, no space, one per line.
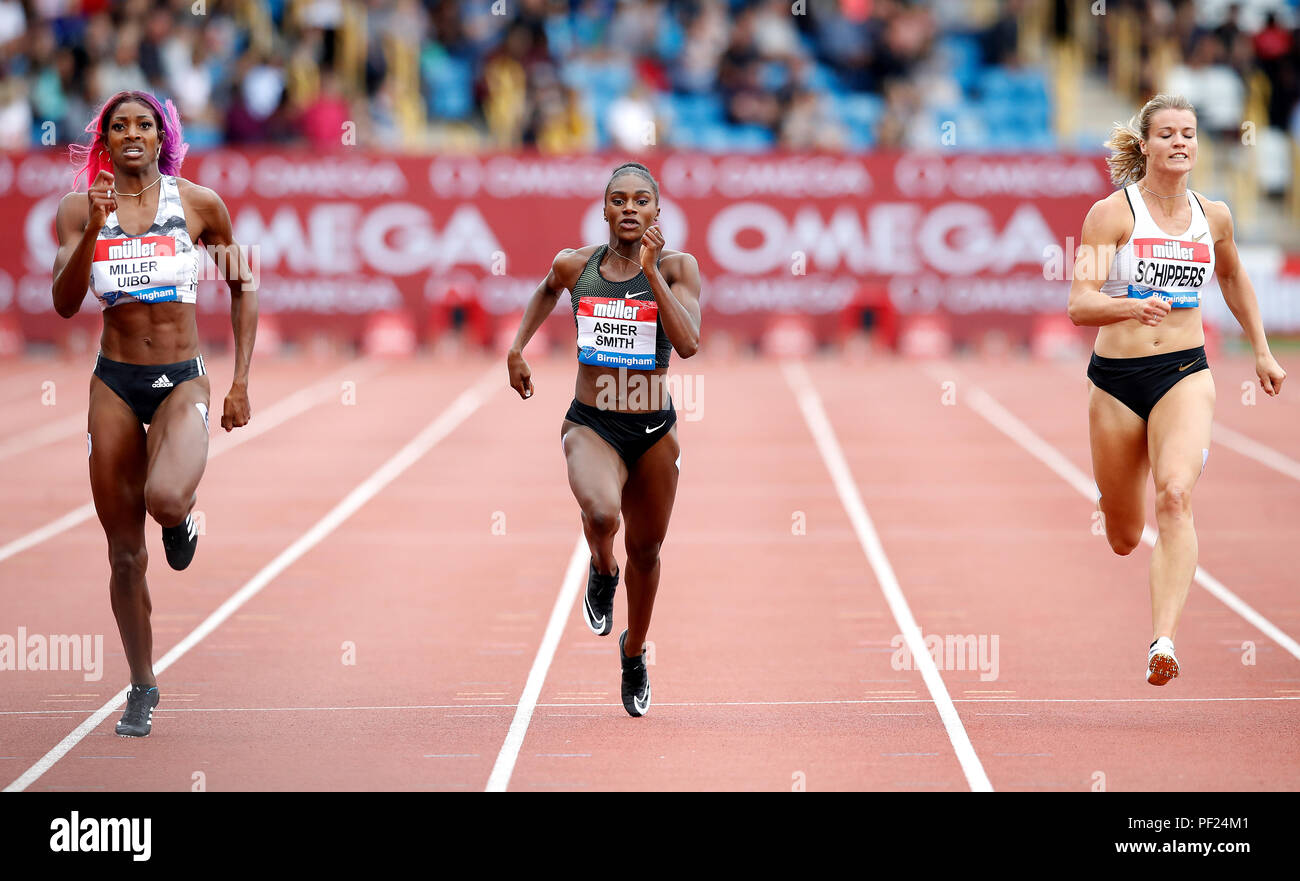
(1104,229)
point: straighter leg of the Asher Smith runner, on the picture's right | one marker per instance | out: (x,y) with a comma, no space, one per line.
(648,500)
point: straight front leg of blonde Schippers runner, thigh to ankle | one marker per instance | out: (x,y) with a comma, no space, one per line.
(1180,431)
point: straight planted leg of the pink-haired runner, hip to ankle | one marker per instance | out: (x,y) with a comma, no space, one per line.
(118,467)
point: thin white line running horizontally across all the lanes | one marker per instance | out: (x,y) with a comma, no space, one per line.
(681,704)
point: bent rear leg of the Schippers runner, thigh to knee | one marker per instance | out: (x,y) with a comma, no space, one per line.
(1120,466)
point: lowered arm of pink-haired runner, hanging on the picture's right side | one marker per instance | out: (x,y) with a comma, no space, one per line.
(219,241)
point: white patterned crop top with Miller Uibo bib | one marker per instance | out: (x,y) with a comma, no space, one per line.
(159,267)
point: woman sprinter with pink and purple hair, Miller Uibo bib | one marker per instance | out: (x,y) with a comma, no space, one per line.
(132,238)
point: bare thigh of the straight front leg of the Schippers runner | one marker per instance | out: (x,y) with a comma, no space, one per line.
(1180,431)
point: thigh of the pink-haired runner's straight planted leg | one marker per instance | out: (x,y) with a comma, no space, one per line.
(118,466)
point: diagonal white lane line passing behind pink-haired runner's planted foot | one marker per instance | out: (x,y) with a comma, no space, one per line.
(440,428)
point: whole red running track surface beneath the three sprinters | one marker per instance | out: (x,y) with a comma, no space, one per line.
(773,649)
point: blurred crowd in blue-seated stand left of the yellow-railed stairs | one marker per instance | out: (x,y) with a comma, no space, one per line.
(557,76)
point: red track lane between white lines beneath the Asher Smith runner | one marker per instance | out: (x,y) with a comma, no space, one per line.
(748,611)
